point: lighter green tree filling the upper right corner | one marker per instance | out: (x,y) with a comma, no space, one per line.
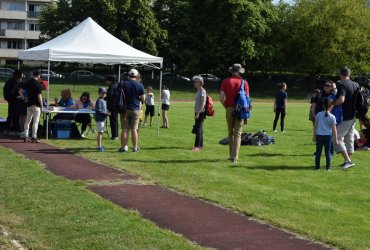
(325,35)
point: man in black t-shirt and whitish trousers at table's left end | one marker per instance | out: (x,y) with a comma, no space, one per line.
(34,104)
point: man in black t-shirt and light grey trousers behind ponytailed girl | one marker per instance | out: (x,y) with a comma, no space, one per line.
(345,130)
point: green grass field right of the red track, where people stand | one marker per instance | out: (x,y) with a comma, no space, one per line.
(275,183)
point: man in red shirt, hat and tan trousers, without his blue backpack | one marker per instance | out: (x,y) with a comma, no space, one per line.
(229,89)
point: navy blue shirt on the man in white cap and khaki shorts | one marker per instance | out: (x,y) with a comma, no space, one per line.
(133,90)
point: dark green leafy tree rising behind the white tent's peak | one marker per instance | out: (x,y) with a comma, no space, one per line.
(131,21)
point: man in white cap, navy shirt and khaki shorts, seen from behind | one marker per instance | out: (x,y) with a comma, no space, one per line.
(134,94)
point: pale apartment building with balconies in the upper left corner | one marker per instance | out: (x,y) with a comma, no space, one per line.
(19,27)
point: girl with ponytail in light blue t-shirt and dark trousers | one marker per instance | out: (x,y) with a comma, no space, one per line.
(324,129)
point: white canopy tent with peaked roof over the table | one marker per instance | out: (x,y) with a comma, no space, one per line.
(90,43)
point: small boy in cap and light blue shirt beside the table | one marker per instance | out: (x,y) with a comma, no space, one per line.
(101,113)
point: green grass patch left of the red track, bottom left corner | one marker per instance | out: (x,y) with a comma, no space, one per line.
(44,211)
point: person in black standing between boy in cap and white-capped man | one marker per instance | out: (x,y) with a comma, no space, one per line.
(113,118)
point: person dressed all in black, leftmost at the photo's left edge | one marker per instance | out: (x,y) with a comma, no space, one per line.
(11,97)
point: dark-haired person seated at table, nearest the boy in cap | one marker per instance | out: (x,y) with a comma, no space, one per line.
(85,119)
